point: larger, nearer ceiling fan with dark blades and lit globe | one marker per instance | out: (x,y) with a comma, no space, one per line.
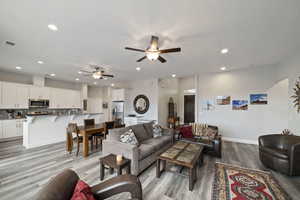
(153,52)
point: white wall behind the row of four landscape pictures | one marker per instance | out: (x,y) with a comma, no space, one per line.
(245,126)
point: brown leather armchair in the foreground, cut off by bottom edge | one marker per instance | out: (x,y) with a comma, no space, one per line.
(62,187)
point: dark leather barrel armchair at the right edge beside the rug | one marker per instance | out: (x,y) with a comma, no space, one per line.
(281,153)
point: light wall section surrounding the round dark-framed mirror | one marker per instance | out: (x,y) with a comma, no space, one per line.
(145,87)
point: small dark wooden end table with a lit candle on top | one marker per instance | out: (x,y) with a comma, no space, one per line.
(111,161)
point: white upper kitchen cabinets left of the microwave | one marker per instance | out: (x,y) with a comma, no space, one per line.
(14,95)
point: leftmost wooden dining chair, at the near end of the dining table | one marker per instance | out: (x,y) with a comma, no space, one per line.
(73,135)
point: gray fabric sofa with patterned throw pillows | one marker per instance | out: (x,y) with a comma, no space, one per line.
(144,154)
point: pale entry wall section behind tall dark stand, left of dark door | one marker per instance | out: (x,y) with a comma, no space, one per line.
(167,88)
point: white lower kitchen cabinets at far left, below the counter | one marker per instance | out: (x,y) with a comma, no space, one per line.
(12,128)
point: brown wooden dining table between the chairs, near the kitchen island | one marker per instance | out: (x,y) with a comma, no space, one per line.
(86,131)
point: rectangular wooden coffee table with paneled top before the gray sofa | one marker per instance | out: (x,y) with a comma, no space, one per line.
(183,154)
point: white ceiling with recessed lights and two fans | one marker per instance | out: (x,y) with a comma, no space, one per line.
(256,32)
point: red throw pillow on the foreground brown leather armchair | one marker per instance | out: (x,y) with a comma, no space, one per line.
(82,192)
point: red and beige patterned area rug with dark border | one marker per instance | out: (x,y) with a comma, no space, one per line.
(236,183)
